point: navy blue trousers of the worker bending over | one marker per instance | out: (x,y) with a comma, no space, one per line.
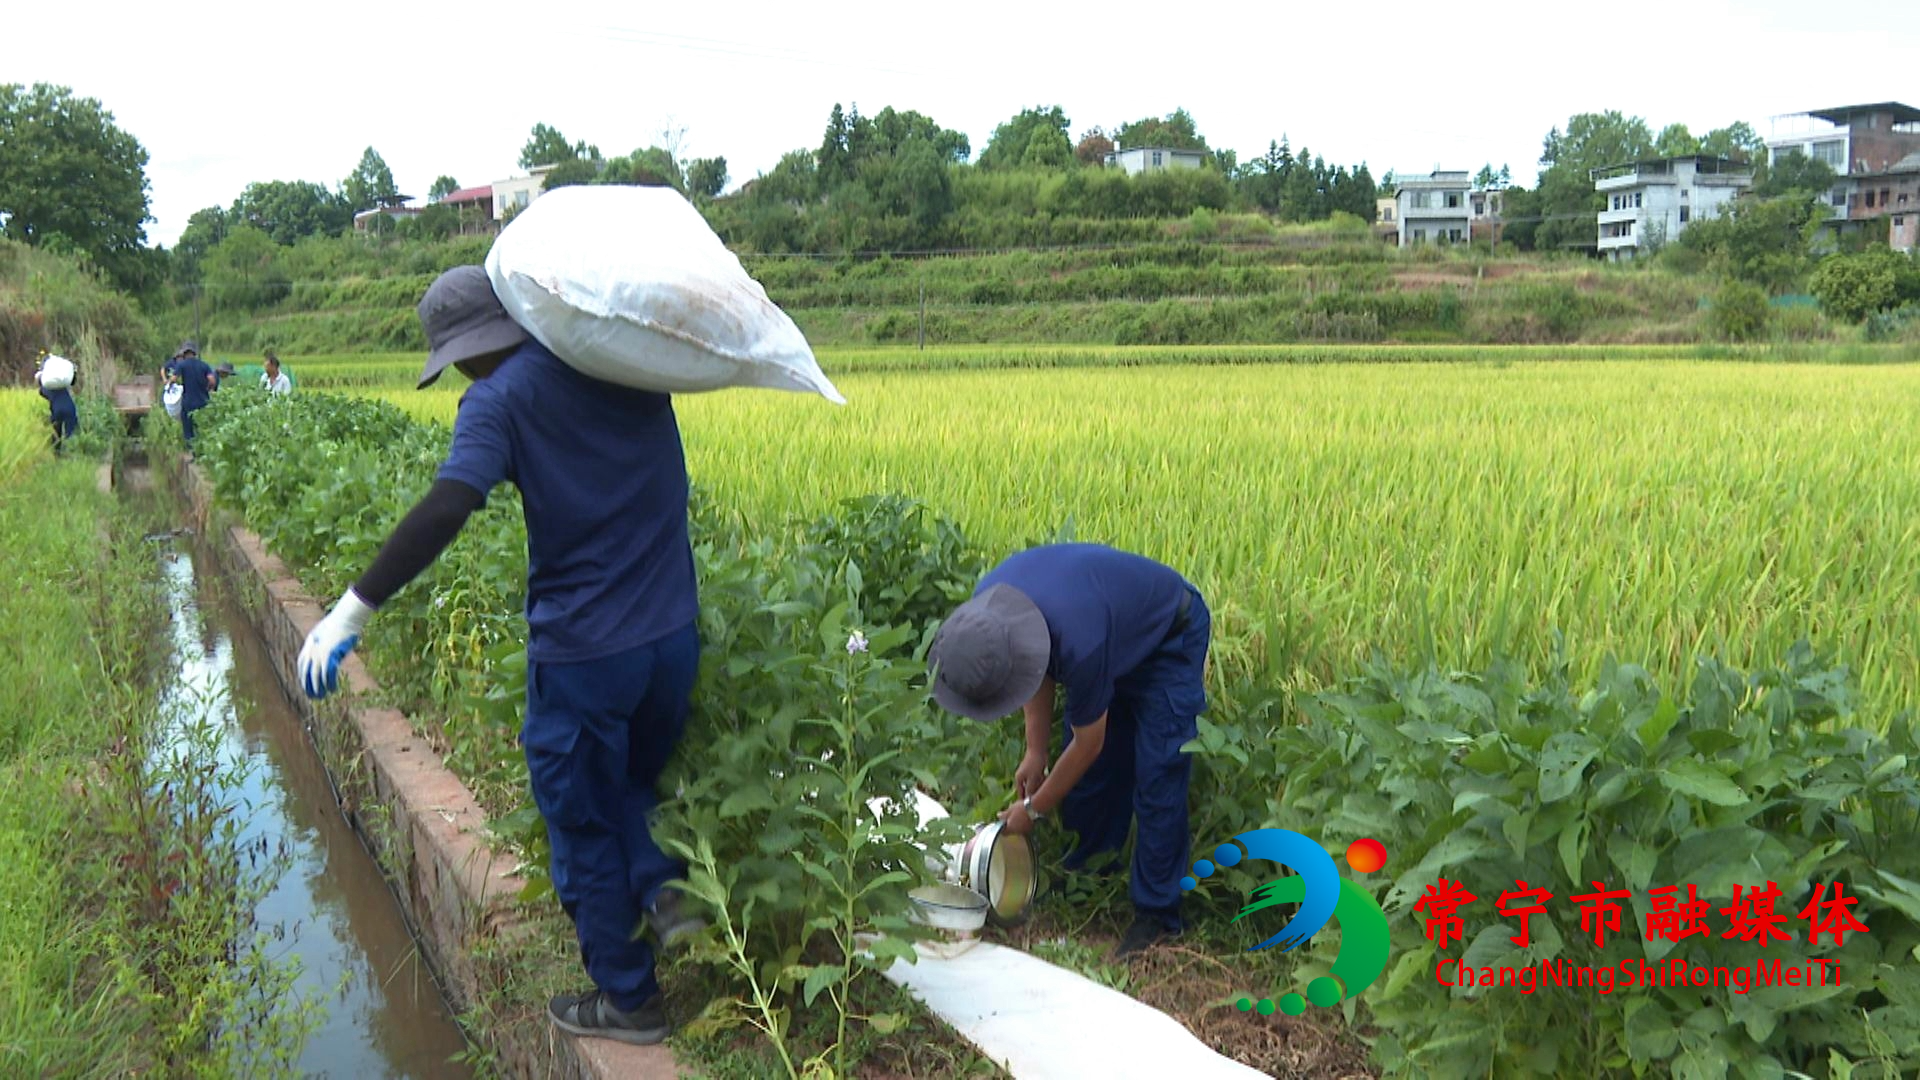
(1141,773)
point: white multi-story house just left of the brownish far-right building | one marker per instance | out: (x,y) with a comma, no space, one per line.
(1652,203)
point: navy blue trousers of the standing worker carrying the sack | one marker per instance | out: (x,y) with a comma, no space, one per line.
(598,737)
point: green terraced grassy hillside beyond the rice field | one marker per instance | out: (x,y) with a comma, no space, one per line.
(1314,285)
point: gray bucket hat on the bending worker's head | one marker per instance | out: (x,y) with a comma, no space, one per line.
(990,656)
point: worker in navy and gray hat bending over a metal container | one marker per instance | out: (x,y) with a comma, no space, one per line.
(1128,639)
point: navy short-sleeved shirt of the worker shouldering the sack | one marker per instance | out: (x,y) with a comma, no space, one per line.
(604,481)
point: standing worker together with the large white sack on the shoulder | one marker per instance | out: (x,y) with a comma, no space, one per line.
(571,403)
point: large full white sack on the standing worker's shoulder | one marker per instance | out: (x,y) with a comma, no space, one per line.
(631,285)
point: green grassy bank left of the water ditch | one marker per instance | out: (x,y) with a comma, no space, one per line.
(124,943)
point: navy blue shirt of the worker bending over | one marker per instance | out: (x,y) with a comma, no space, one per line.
(1107,612)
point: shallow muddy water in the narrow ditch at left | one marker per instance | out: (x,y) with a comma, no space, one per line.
(383,1016)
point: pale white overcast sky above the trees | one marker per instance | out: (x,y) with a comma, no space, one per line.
(231,93)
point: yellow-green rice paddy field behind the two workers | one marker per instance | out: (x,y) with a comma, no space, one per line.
(1654,508)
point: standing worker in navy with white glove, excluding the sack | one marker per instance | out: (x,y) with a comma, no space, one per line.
(612,612)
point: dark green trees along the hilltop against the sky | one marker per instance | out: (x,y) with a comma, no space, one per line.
(74,182)
